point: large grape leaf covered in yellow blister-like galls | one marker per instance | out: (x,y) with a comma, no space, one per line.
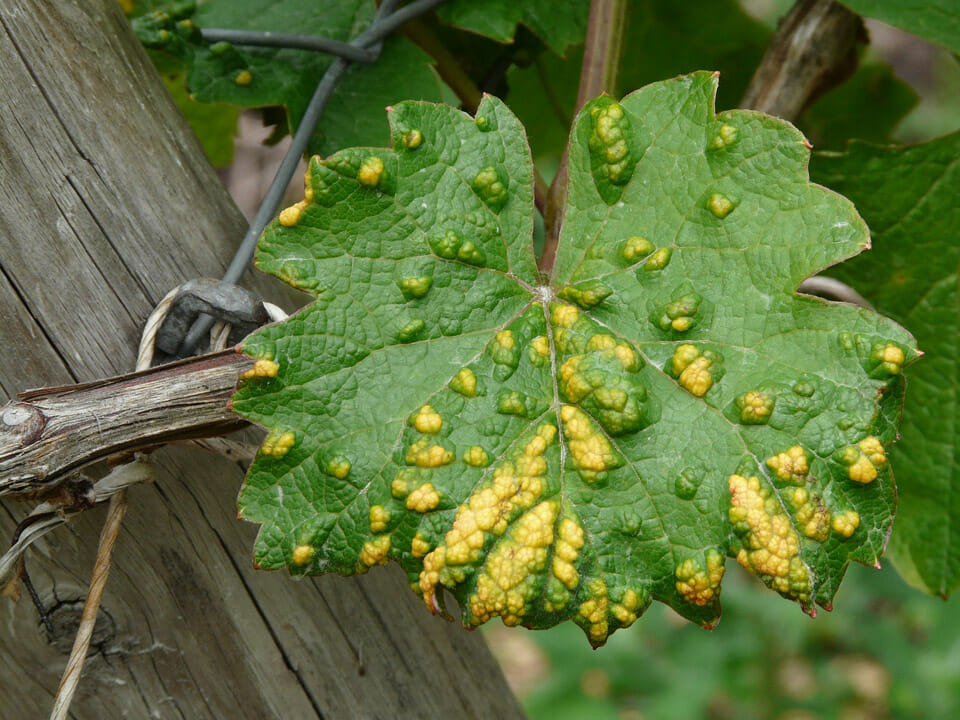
(575,449)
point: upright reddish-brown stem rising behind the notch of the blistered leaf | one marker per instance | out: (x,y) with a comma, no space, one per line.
(598,74)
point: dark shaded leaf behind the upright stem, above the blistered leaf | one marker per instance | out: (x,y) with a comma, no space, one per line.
(663,38)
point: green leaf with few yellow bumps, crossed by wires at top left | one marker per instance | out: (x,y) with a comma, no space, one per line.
(263,77)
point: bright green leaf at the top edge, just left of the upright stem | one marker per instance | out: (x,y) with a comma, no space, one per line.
(559,23)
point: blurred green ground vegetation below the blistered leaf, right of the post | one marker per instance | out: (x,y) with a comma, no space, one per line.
(886,651)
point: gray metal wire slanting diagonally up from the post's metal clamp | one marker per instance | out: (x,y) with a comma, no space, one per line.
(385,22)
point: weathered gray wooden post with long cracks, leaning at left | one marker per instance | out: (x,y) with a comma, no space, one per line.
(106,203)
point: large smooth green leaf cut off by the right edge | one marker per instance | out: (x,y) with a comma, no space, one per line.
(909,198)
